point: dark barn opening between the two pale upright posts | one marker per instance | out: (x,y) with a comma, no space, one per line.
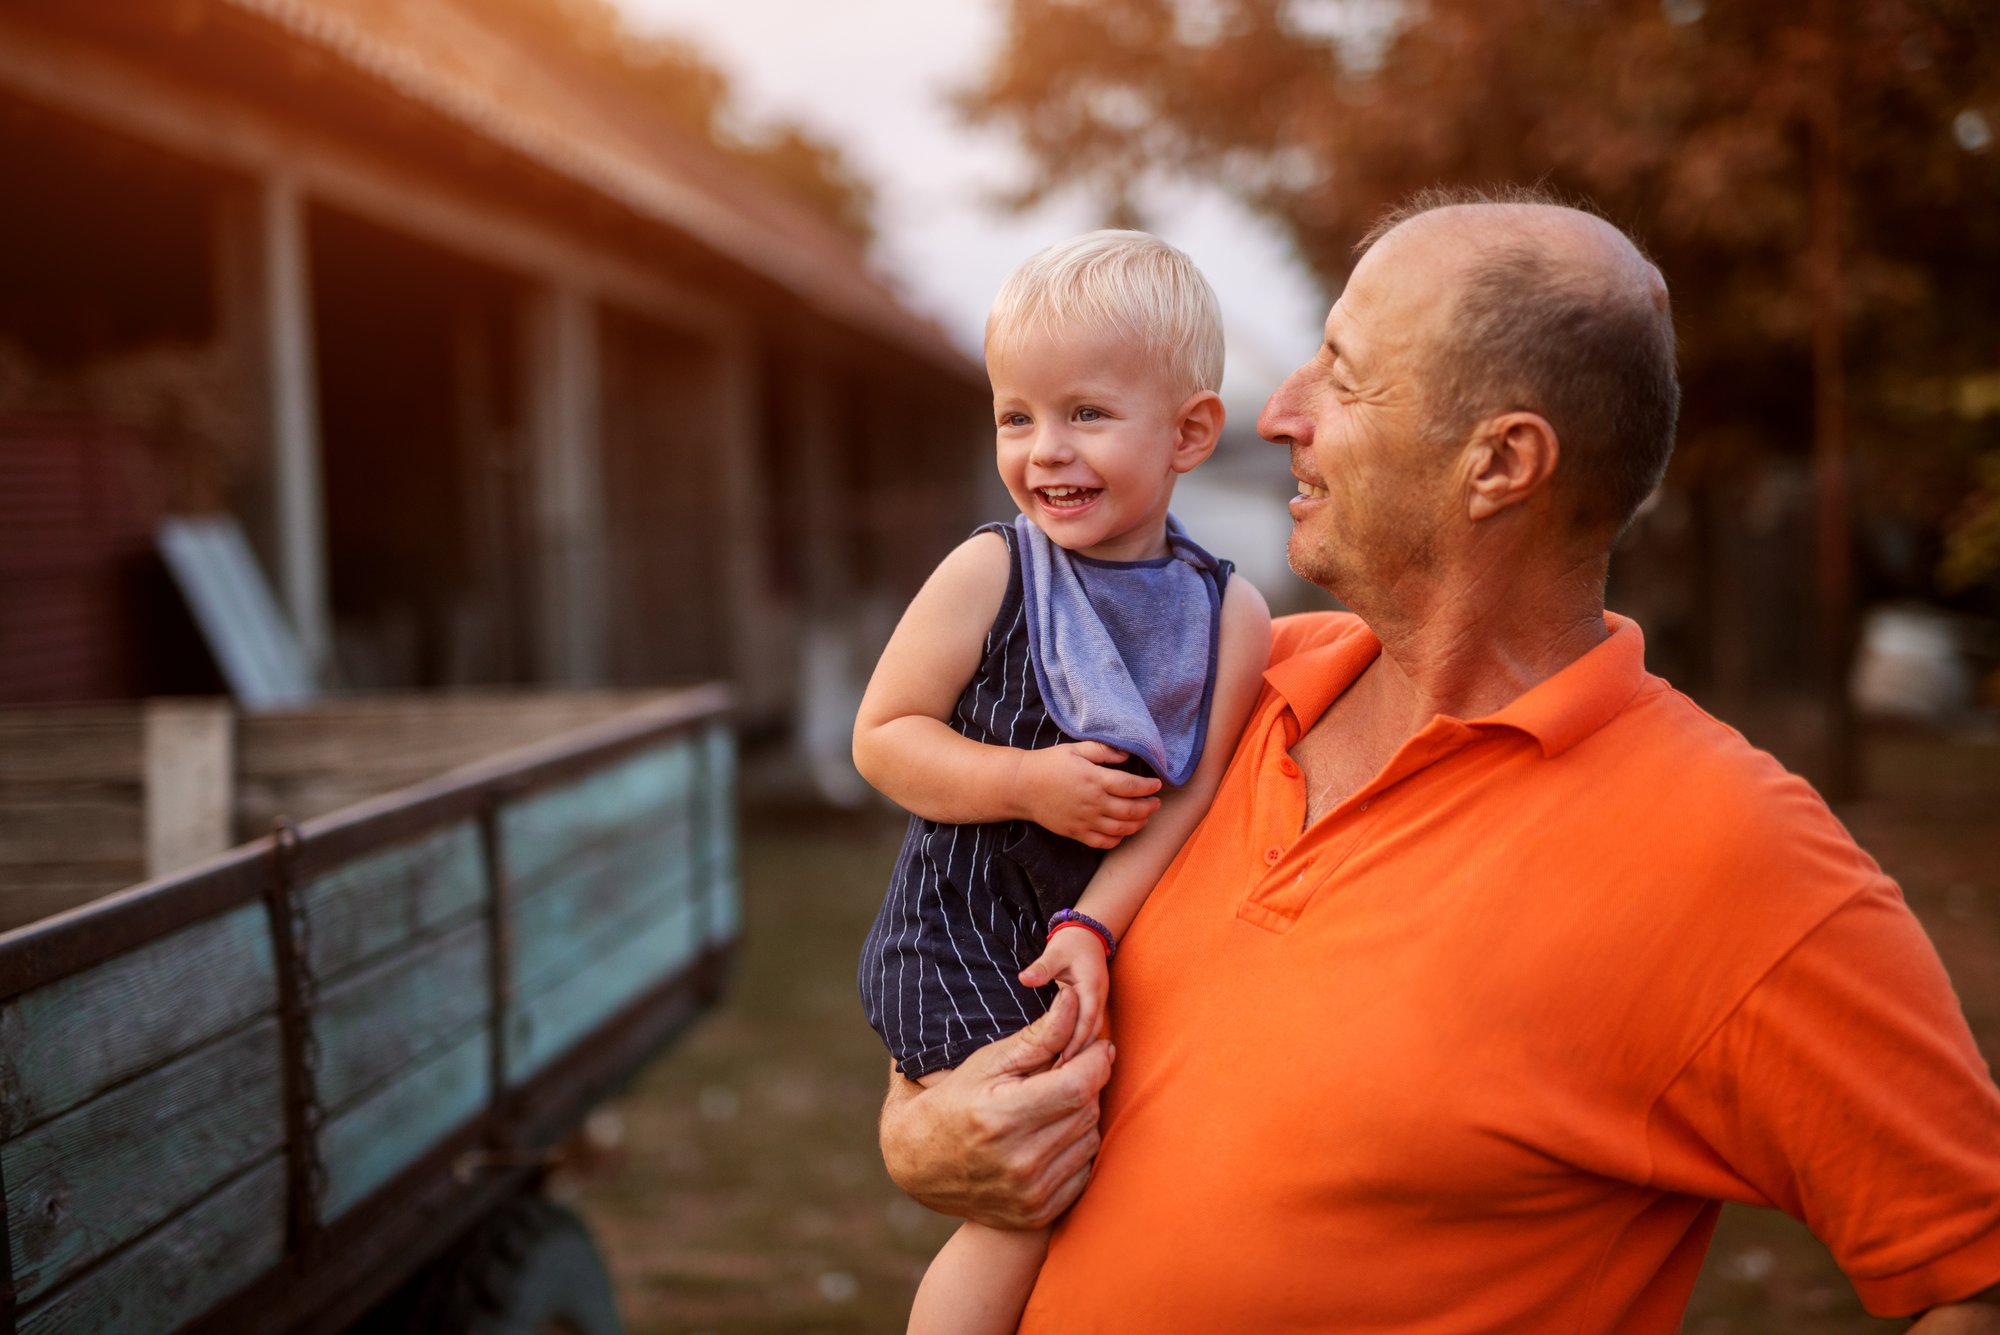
(421,441)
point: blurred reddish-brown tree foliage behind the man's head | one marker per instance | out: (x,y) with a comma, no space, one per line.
(1691,125)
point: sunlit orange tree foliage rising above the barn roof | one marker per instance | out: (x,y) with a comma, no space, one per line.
(675,81)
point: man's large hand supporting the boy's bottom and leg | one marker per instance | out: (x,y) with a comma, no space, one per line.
(1007,1138)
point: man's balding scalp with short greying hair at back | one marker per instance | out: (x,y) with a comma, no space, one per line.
(1551,311)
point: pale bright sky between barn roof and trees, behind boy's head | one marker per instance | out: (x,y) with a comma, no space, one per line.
(873,79)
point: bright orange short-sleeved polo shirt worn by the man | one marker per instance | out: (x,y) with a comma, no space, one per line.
(1483,1048)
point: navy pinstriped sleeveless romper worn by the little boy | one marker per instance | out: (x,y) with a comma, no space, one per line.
(969,906)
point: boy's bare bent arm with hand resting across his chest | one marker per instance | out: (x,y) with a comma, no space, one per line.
(913,756)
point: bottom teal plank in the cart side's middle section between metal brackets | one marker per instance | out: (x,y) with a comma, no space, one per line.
(401,1122)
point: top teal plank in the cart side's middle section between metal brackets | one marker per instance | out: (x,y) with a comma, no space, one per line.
(377,902)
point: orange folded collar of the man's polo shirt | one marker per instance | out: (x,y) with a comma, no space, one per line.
(1557,712)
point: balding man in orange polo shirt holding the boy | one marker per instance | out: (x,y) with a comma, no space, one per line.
(1497,964)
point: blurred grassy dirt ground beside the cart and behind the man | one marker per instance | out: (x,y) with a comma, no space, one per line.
(749,1194)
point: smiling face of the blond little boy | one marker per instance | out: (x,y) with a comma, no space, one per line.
(1091,439)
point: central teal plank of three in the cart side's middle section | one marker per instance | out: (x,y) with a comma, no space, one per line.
(399,1010)
